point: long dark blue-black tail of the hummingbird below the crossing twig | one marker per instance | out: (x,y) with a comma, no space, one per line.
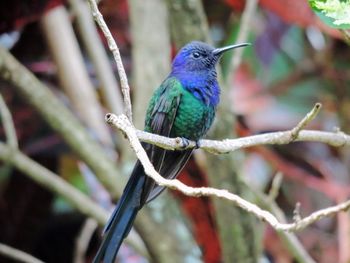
(122,218)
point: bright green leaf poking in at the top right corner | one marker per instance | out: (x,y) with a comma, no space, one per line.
(335,13)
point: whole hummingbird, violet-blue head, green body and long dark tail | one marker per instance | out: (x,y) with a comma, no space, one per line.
(183,106)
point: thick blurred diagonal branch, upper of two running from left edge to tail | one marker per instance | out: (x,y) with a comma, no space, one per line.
(60,119)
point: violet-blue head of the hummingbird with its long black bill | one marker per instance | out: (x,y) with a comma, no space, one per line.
(199,56)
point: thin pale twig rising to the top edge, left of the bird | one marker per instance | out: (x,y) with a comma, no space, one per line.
(115,50)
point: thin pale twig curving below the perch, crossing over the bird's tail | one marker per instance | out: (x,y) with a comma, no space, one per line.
(123,123)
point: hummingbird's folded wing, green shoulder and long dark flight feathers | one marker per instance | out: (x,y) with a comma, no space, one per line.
(162,117)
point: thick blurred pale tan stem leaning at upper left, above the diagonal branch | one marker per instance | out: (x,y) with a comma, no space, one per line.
(72,73)
